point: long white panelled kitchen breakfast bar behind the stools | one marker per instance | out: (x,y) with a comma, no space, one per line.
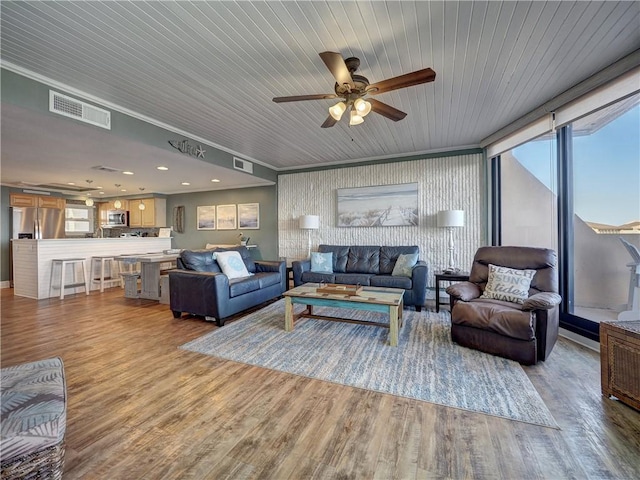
(32,258)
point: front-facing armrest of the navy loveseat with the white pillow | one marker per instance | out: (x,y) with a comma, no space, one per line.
(200,293)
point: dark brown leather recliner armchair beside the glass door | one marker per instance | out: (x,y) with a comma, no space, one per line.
(525,332)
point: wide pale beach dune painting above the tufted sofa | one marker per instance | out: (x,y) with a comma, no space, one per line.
(379,206)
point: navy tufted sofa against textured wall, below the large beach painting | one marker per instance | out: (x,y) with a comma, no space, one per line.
(368,265)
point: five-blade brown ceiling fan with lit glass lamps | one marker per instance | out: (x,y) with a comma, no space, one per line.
(353,89)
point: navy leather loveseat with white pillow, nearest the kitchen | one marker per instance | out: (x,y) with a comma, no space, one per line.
(199,287)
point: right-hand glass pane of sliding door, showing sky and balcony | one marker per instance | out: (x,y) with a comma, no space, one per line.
(606,203)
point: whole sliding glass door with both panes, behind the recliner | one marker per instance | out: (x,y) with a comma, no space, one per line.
(577,191)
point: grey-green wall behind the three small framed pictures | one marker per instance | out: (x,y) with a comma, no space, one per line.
(266,237)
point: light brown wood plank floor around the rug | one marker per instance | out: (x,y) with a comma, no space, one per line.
(140,408)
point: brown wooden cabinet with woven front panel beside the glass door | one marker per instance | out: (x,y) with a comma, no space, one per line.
(620,361)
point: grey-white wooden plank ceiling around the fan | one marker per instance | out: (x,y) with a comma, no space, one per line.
(212,68)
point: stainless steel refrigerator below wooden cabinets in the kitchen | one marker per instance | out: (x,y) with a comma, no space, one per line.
(37,223)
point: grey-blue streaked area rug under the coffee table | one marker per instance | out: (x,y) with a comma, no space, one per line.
(426,365)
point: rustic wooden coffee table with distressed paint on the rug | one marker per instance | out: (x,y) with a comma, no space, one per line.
(373,299)
